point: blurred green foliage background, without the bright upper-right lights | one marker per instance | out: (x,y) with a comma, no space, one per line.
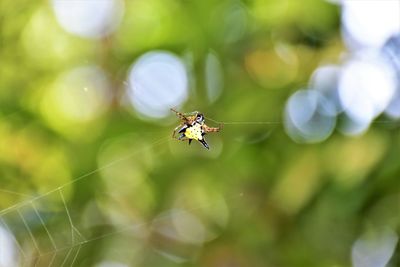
(89,173)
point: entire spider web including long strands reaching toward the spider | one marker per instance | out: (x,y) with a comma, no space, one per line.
(55,247)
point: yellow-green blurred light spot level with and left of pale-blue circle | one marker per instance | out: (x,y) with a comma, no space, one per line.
(77,97)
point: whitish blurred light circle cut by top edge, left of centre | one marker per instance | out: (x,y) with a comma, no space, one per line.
(89,18)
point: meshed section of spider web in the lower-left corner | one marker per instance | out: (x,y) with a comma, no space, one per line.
(30,218)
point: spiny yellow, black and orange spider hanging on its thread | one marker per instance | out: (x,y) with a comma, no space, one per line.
(193,127)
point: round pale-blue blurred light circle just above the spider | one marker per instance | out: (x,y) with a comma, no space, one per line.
(157,82)
